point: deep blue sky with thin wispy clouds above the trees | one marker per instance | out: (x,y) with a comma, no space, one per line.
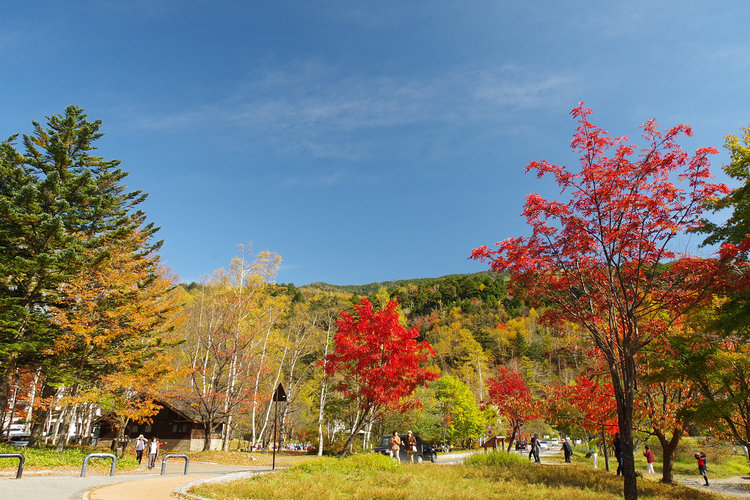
(362,141)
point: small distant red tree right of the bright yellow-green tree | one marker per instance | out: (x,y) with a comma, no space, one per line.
(513,399)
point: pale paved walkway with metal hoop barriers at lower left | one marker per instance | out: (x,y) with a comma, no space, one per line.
(141,484)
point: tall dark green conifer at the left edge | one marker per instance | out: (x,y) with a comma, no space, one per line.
(60,206)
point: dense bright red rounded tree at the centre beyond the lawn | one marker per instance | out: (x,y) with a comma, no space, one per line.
(379,361)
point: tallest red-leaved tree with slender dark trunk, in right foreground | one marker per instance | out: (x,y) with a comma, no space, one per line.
(598,257)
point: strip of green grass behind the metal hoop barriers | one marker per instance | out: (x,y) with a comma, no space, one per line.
(49,458)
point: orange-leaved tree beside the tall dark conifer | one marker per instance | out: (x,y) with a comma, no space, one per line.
(114,321)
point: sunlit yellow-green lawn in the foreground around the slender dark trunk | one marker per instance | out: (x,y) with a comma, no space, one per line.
(493,475)
